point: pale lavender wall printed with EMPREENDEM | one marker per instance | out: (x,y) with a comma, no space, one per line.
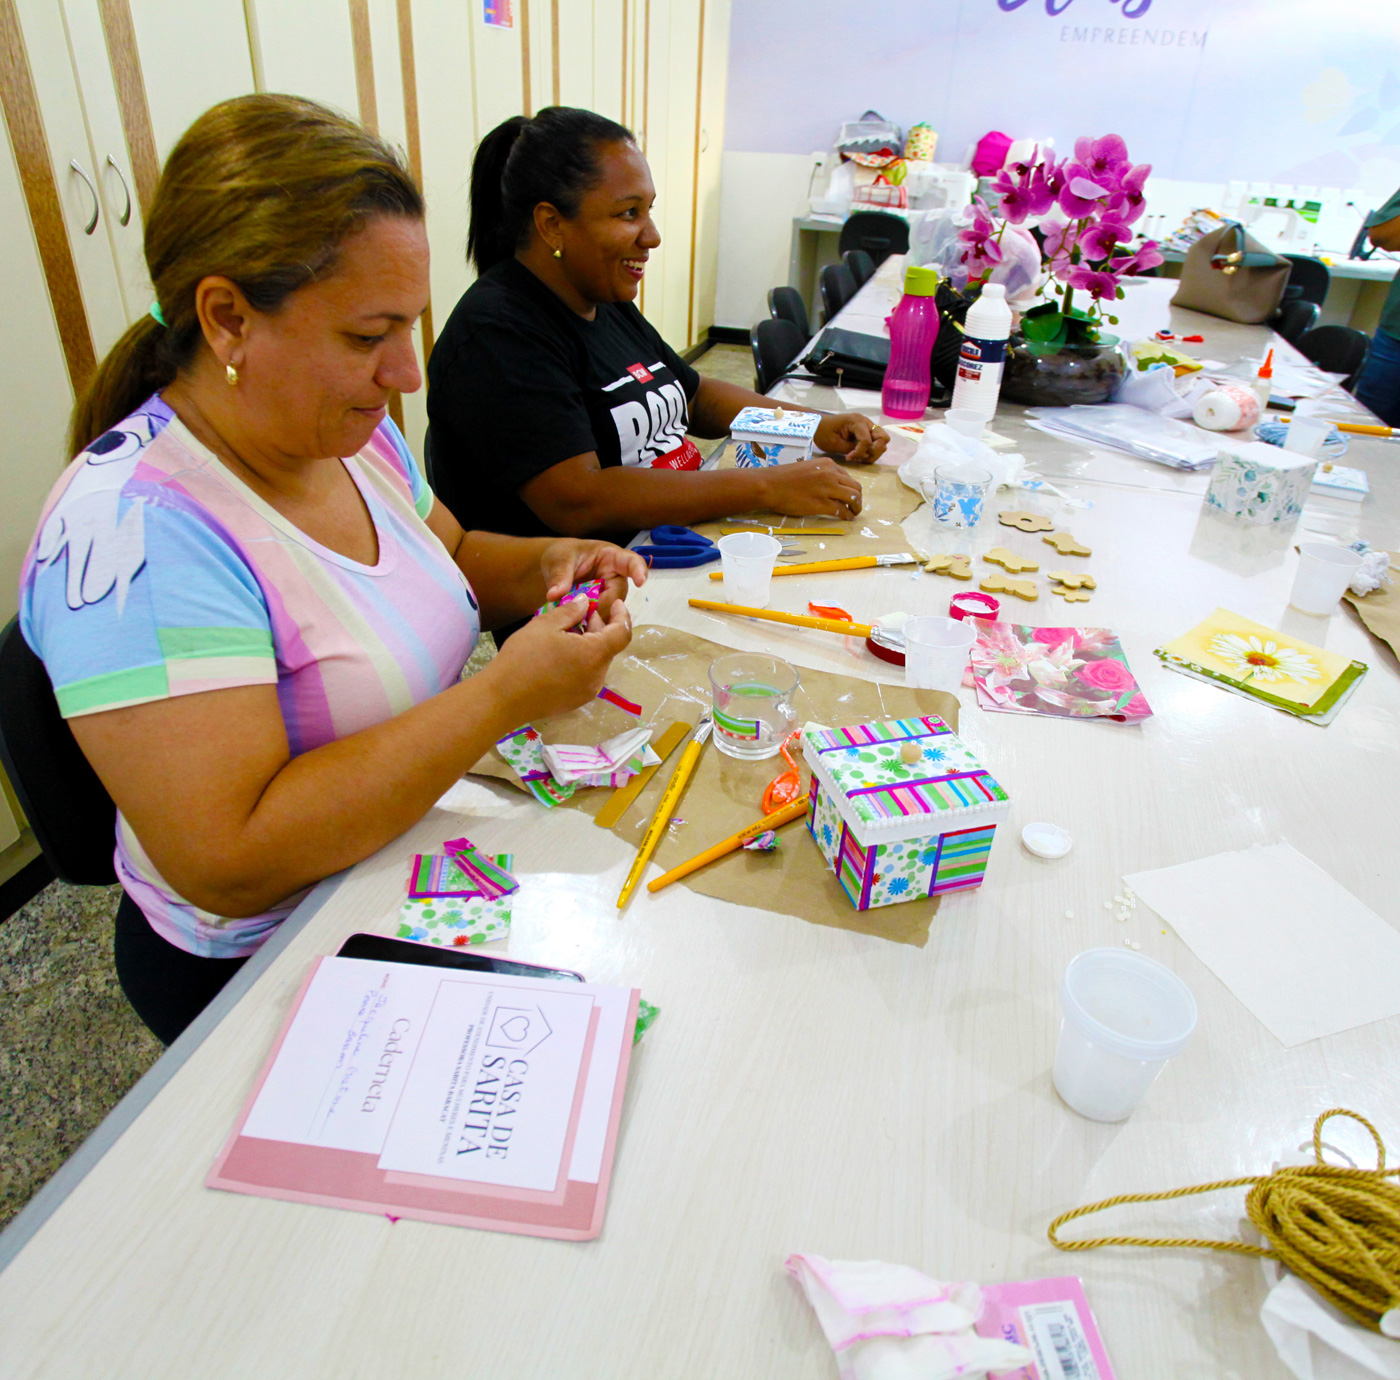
(1207,92)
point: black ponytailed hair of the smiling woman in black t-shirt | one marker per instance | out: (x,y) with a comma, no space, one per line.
(526,162)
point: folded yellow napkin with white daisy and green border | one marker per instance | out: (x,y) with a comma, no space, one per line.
(1265,666)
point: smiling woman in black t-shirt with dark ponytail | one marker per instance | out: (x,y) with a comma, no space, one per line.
(554,407)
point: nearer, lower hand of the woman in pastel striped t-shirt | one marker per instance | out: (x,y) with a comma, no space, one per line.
(547,668)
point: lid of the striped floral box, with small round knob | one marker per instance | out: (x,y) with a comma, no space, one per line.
(883,797)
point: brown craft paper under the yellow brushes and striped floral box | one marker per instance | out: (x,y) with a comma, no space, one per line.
(667,673)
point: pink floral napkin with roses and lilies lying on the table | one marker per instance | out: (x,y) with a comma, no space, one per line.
(1066,673)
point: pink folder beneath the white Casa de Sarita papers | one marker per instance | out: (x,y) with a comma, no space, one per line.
(573,1211)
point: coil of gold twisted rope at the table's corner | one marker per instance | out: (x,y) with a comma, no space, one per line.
(1336,1228)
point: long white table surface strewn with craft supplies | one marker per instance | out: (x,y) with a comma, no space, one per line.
(804,1090)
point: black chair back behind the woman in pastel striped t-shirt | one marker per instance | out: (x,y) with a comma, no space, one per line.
(68,807)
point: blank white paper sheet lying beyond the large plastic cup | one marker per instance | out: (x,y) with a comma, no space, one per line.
(1300,951)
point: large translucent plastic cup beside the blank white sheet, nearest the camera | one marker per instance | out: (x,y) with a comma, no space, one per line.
(1123,1017)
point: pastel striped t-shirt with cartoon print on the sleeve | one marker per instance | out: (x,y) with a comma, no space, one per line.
(156,572)
